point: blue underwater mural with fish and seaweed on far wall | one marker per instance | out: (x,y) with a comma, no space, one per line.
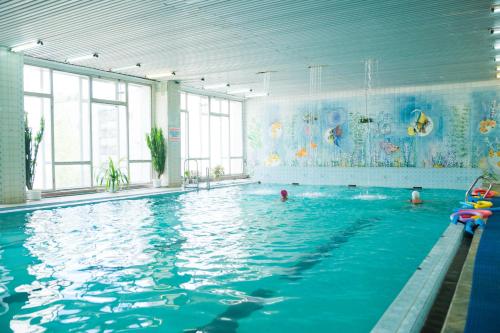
(456,128)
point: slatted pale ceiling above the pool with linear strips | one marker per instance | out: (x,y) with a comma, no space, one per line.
(412,42)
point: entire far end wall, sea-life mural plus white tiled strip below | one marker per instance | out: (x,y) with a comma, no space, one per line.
(346,135)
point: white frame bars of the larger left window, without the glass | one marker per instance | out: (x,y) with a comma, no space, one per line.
(91,101)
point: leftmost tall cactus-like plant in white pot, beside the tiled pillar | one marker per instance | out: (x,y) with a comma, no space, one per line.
(31,145)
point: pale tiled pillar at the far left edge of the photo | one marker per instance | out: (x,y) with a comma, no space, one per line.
(12,173)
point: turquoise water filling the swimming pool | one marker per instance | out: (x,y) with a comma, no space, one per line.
(234,259)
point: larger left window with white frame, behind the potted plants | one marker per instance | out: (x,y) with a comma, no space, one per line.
(87,121)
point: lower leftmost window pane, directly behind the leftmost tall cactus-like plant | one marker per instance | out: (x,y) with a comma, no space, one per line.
(36,108)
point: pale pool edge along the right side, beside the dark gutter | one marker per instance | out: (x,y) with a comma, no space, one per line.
(408,311)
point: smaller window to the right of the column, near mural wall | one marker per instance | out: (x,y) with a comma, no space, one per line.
(211,133)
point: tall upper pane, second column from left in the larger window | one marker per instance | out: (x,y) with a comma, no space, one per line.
(71,118)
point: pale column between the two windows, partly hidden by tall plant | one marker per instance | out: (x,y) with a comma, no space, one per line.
(167,116)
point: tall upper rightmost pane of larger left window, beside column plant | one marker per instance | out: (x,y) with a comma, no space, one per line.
(139,109)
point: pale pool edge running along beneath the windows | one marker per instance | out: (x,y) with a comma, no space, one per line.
(83,199)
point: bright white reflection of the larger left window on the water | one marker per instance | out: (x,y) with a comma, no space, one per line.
(78,248)
